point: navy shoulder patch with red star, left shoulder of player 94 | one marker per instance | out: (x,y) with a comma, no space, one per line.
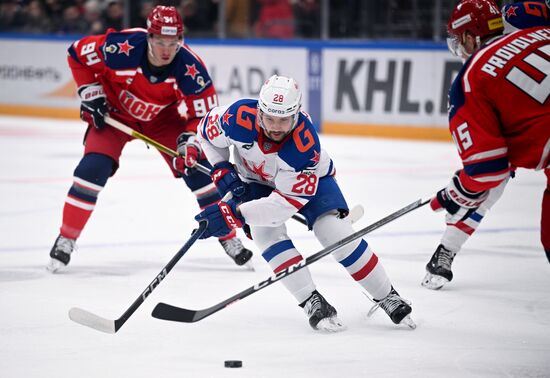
(125,50)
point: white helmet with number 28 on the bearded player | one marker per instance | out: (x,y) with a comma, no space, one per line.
(280,96)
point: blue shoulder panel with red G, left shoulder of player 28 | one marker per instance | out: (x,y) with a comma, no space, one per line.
(239,121)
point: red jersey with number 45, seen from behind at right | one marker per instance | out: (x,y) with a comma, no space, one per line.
(499,108)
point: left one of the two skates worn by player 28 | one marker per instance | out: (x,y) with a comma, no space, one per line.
(322,316)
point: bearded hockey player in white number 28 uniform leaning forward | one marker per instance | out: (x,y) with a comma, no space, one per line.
(280,169)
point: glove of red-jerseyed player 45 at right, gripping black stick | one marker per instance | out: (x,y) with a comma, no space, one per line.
(458,202)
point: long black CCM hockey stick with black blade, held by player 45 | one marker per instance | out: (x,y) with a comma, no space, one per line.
(168,312)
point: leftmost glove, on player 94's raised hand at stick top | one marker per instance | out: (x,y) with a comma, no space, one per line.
(93,105)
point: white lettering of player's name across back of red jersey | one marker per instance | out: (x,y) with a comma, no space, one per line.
(516,45)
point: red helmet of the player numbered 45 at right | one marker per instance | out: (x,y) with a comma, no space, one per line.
(481,18)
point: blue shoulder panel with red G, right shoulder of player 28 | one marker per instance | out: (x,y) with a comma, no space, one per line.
(302,150)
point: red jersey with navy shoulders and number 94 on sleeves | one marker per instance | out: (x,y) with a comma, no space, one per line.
(134,90)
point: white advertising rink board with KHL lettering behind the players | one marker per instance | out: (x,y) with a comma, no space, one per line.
(376,89)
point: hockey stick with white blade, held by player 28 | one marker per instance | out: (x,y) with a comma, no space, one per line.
(112,326)
